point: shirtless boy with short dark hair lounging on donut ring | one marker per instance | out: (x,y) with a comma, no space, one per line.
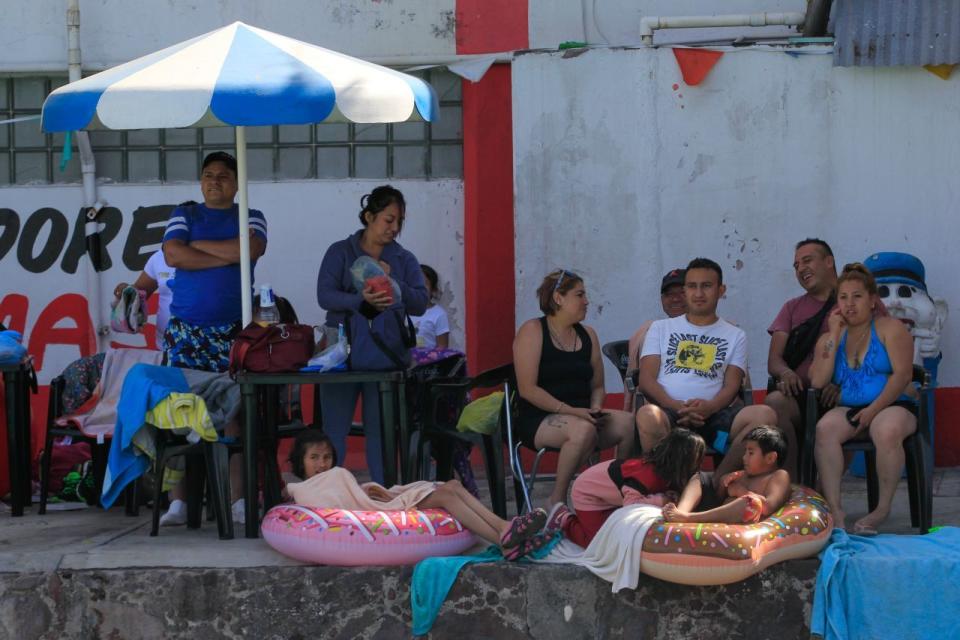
(749,495)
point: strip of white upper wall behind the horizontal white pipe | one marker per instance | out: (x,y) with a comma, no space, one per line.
(617,22)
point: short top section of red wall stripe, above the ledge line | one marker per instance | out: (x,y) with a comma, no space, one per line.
(490,26)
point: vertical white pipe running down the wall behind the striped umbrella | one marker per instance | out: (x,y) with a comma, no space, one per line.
(88,168)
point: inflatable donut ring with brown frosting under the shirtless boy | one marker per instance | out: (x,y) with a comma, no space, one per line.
(710,554)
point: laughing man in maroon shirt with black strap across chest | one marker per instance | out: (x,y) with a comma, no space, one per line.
(793,334)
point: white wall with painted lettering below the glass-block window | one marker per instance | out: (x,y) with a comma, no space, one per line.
(304,218)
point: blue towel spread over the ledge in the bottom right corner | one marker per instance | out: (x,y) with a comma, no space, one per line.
(888,586)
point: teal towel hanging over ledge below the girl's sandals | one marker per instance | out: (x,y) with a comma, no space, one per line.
(434,577)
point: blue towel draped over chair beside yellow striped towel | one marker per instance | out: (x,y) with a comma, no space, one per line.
(144,387)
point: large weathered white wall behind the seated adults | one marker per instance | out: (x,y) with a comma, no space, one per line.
(622,177)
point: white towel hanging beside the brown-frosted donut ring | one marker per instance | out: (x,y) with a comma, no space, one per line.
(614,553)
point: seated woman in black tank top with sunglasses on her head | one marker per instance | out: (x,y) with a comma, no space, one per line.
(560,380)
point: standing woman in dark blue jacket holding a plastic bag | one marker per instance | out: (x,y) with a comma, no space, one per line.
(382,215)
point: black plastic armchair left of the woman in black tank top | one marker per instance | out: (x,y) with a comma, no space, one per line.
(445,399)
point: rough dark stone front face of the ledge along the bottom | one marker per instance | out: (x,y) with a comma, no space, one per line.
(487,601)
